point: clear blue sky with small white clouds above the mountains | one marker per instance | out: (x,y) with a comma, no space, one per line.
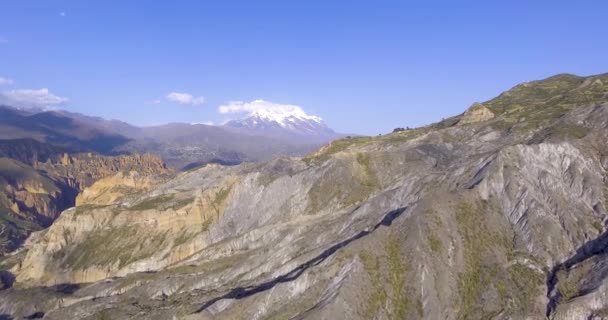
(365,67)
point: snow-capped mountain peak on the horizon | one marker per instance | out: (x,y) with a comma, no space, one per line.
(285,123)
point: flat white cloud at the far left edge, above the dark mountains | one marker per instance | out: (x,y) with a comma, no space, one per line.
(30,98)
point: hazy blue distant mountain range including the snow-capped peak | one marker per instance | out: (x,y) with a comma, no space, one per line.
(180,145)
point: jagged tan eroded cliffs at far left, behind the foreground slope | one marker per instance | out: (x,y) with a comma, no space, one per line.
(32,197)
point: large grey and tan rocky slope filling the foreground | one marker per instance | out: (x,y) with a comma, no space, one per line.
(498,213)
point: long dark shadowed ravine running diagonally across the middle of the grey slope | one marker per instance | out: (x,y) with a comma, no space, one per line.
(244,292)
